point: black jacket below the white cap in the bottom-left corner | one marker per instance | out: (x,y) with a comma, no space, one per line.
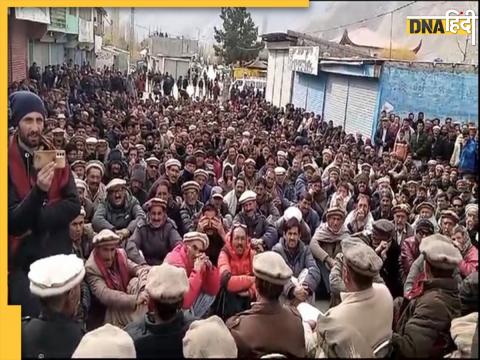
(52,335)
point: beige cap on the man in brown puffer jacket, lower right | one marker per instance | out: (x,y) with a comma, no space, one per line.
(440,252)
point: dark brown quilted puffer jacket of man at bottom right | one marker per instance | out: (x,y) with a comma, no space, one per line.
(423,327)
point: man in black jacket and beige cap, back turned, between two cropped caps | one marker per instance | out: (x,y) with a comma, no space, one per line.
(160,333)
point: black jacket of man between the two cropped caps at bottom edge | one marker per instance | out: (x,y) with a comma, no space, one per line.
(159,341)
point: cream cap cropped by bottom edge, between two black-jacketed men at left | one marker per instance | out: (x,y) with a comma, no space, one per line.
(107,341)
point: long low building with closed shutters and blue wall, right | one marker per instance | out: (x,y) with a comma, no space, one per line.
(348,86)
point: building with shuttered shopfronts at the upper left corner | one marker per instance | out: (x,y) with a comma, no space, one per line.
(51,36)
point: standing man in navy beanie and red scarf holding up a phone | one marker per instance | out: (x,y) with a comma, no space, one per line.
(41,203)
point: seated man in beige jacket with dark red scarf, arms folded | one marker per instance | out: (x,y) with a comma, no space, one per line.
(117,282)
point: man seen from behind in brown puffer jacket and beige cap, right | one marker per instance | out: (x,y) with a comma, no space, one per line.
(421,327)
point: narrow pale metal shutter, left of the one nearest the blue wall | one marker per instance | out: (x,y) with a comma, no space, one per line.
(336,99)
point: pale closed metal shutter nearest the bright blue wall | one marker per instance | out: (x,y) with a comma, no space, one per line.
(362,102)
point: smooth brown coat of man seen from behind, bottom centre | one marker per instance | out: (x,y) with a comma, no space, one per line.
(268,328)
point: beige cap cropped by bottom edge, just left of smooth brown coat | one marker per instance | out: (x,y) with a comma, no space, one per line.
(209,338)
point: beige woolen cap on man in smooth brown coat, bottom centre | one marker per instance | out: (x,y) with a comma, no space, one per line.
(271,267)
